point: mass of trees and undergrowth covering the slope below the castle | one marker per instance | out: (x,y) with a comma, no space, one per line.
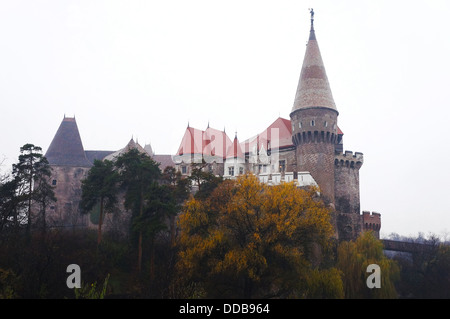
(234,239)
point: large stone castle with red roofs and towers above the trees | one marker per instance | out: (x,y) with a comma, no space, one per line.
(306,149)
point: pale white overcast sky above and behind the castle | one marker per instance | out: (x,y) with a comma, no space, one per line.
(147,68)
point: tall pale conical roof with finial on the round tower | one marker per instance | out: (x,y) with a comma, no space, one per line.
(313,90)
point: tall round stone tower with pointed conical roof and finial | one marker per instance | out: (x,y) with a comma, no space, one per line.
(314,120)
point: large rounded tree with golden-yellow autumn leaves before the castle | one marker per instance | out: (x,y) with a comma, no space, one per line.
(250,240)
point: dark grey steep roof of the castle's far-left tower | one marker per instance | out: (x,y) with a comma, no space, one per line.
(66,148)
